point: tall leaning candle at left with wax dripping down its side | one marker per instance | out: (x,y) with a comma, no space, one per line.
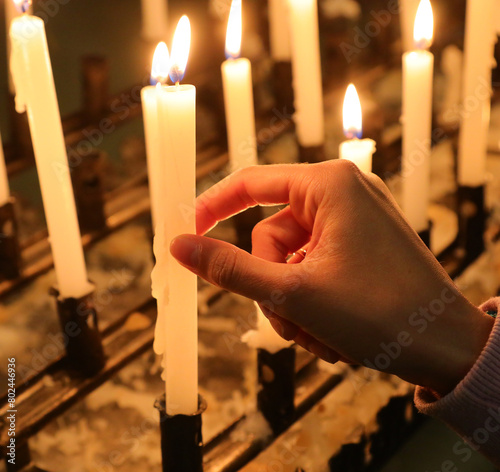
(36,94)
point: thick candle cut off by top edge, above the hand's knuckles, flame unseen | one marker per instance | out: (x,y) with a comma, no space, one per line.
(306,71)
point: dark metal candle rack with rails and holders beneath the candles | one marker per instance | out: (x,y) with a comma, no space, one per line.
(289,387)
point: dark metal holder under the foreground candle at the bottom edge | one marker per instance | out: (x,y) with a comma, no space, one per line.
(181,439)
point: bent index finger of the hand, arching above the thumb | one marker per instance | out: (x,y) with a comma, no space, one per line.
(257,185)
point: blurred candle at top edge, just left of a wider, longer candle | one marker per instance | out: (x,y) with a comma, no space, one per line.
(279,30)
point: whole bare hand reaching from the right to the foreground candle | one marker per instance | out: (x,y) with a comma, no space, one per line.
(368,290)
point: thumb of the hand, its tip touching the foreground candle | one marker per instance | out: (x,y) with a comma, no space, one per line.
(229,267)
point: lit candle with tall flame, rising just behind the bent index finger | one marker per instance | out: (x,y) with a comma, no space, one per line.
(238,97)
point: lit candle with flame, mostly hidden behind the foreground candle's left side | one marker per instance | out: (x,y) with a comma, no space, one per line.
(154,151)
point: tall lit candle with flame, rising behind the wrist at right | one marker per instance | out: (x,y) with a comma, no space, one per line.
(417,121)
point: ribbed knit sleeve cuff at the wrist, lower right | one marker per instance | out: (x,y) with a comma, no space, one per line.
(472,409)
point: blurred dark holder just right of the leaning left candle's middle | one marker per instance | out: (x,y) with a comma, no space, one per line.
(89,195)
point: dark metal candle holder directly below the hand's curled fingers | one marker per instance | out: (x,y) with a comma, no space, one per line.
(275,399)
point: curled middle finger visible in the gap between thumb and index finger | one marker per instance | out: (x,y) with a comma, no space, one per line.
(274,238)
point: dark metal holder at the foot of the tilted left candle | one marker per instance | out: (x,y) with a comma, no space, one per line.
(78,320)
